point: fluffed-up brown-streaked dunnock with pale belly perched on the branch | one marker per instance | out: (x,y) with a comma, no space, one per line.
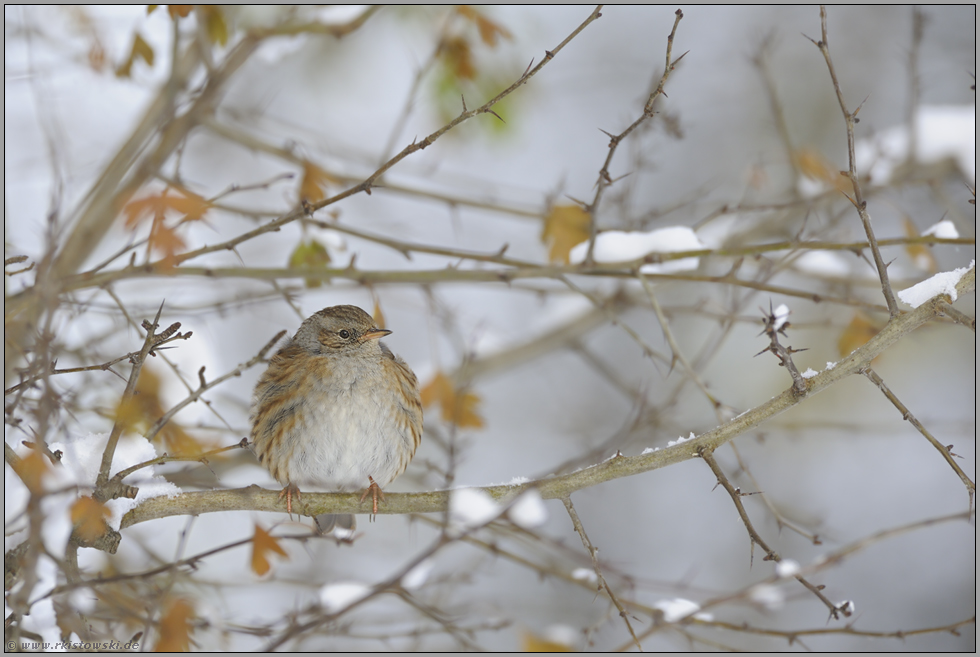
(336,410)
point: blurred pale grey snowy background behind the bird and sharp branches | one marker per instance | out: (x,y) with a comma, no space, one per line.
(744,150)
